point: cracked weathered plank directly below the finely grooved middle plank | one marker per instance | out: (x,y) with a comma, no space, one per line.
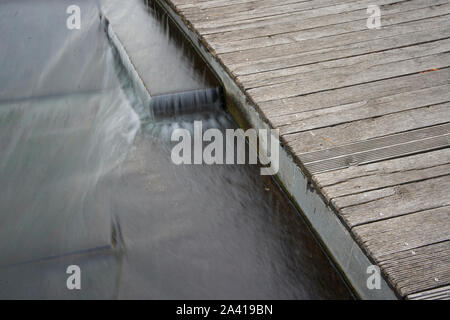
(384,174)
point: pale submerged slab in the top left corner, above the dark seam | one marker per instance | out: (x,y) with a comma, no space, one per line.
(50,59)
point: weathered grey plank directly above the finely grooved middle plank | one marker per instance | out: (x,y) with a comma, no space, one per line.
(361,130)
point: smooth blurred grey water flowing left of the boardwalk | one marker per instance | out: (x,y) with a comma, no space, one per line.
(86,179)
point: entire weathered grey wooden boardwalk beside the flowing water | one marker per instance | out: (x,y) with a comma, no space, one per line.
(364,112)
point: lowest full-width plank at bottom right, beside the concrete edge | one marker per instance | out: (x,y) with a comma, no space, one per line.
(417,270)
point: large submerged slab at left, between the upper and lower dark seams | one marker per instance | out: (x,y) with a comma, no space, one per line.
(54,201)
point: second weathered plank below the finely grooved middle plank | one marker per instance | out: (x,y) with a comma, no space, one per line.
(394,201)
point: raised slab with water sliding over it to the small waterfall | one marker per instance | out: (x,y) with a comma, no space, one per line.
(153,46)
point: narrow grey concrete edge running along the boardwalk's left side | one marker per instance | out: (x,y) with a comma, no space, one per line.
(347,255)
